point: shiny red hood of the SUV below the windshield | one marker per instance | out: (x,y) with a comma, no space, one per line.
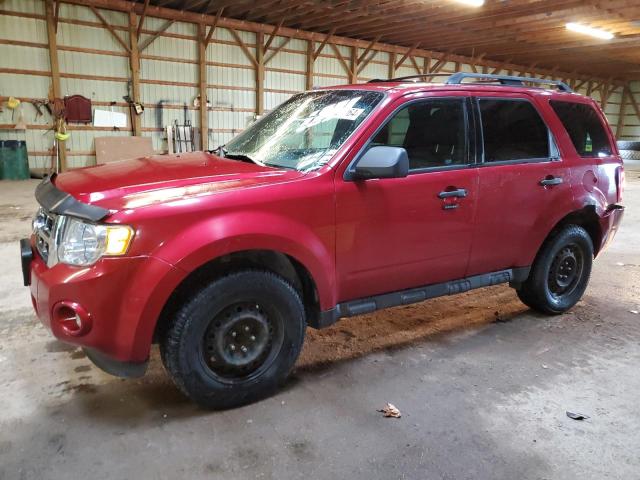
(162,178)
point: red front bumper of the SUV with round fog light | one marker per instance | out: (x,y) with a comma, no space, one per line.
(118,301)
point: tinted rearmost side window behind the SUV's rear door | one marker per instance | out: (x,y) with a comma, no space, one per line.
(584,127)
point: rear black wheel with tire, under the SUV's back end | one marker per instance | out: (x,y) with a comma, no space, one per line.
(560,273)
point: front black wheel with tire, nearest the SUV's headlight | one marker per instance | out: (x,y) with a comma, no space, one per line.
(236,341)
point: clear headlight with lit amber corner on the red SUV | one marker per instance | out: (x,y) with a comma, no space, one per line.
(84,243)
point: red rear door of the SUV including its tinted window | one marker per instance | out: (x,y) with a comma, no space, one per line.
(524,183)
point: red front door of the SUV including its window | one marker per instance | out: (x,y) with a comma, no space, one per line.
(393,234)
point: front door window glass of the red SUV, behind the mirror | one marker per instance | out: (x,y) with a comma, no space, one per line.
(432,132)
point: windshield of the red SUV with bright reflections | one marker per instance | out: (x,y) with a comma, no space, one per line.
(306,131)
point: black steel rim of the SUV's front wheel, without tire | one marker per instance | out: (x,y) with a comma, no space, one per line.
(241,341)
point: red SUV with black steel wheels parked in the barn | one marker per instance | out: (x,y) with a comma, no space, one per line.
(339,202)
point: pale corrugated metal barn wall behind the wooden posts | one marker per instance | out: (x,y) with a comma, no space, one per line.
(94,64)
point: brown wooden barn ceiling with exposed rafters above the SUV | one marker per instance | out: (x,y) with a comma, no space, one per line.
(436,26)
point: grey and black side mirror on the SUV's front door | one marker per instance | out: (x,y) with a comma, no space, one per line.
(382,162)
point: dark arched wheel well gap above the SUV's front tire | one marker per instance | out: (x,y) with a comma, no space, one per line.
(276,262)
